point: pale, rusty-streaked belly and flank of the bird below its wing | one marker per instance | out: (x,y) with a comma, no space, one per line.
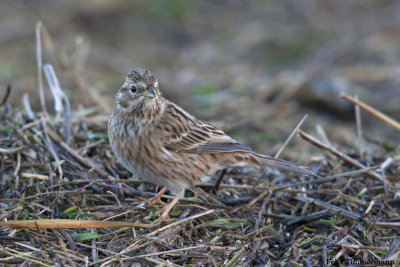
(172,170)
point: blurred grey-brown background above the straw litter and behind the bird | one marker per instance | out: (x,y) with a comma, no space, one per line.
(253,68)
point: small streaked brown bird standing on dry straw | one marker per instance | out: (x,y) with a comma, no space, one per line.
(161,143)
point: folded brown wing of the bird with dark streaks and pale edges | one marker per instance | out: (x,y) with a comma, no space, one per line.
(179,131)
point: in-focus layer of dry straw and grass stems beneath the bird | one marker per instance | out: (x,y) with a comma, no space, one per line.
(62,168)
